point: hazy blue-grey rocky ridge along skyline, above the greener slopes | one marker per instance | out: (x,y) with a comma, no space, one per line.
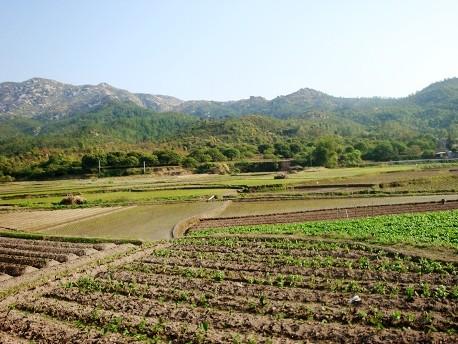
(40,96)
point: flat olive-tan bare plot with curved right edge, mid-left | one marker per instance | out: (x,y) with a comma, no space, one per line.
(148,222)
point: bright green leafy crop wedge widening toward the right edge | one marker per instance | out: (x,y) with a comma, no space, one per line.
(428,229)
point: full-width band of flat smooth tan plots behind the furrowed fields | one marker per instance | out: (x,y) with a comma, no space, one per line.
(153,222)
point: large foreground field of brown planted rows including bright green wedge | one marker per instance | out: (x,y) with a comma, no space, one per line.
(280,283)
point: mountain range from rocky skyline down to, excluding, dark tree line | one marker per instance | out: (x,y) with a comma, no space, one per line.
(41,113)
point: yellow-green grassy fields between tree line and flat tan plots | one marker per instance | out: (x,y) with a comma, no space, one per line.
(146,189)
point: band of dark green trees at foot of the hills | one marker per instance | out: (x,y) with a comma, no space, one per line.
(328,151)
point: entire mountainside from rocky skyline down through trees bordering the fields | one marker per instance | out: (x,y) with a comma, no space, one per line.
(308,126)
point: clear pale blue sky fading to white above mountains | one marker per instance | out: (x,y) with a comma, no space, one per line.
(233,49)
